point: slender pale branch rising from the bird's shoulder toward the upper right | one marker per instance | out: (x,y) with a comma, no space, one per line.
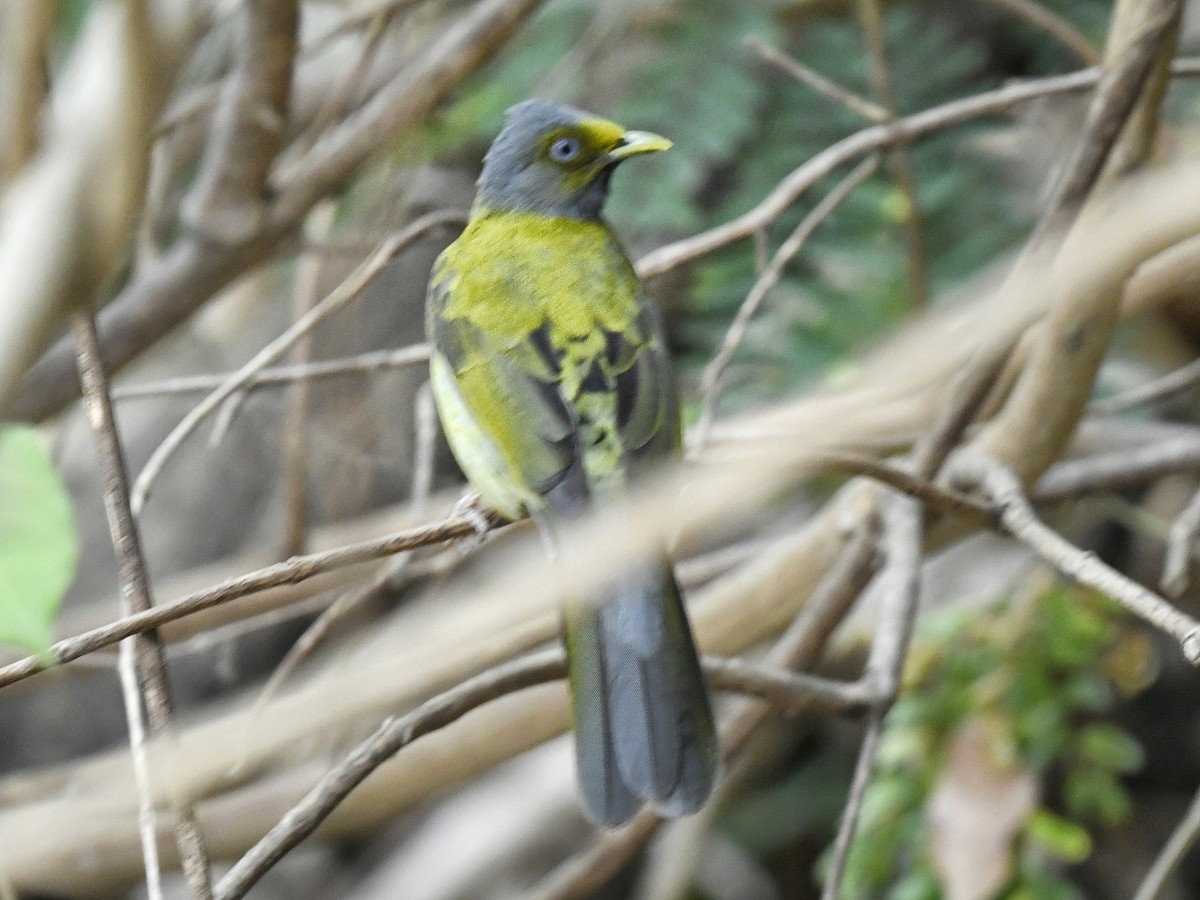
(872,140)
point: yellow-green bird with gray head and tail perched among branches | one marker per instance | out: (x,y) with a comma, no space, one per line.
(555,389)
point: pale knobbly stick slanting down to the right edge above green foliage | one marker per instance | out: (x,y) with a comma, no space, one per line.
(1001,485)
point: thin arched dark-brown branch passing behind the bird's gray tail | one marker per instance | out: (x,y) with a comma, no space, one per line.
(788,691)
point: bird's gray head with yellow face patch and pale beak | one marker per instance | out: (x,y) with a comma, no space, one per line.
(557,161)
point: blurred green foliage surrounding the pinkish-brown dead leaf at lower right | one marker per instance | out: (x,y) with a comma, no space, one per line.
(1034,674)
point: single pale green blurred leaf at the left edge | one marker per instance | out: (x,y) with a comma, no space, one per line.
(38,541)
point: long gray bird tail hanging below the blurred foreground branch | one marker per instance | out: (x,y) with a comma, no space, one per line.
(644,724)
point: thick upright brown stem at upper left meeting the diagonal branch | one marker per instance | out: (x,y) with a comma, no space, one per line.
(229,202)
